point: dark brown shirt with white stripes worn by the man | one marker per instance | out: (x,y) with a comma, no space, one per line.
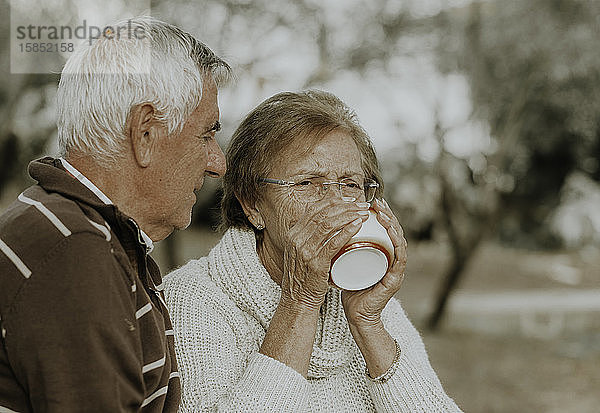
(83,320)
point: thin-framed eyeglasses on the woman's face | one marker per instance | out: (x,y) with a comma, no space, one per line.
(314,189)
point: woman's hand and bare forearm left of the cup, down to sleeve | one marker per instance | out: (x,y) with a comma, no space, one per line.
(309,245)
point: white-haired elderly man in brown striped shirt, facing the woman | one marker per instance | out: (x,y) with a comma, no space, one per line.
(84,323)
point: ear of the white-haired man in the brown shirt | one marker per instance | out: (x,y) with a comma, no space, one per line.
(144,131)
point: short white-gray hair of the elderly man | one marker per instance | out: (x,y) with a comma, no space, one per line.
(140,60)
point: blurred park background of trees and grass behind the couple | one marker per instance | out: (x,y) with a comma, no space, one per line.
(485,117)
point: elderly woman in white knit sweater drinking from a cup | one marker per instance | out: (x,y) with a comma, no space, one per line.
(258,326)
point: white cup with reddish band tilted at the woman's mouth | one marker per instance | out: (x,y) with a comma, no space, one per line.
(365,259)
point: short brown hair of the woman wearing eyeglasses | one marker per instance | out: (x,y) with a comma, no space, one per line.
(284,120)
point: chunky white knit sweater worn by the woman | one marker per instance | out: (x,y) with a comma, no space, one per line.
(221,306)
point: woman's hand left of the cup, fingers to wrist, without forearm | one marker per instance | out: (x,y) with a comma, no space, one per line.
(310,245)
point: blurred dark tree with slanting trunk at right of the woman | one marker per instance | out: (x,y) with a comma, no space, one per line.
(533,70)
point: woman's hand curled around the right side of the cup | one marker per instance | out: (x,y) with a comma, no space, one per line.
(363,308)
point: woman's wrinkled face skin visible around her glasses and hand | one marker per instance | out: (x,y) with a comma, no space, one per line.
(335,157)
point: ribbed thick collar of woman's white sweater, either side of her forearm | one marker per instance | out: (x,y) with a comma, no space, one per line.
(234,265)
